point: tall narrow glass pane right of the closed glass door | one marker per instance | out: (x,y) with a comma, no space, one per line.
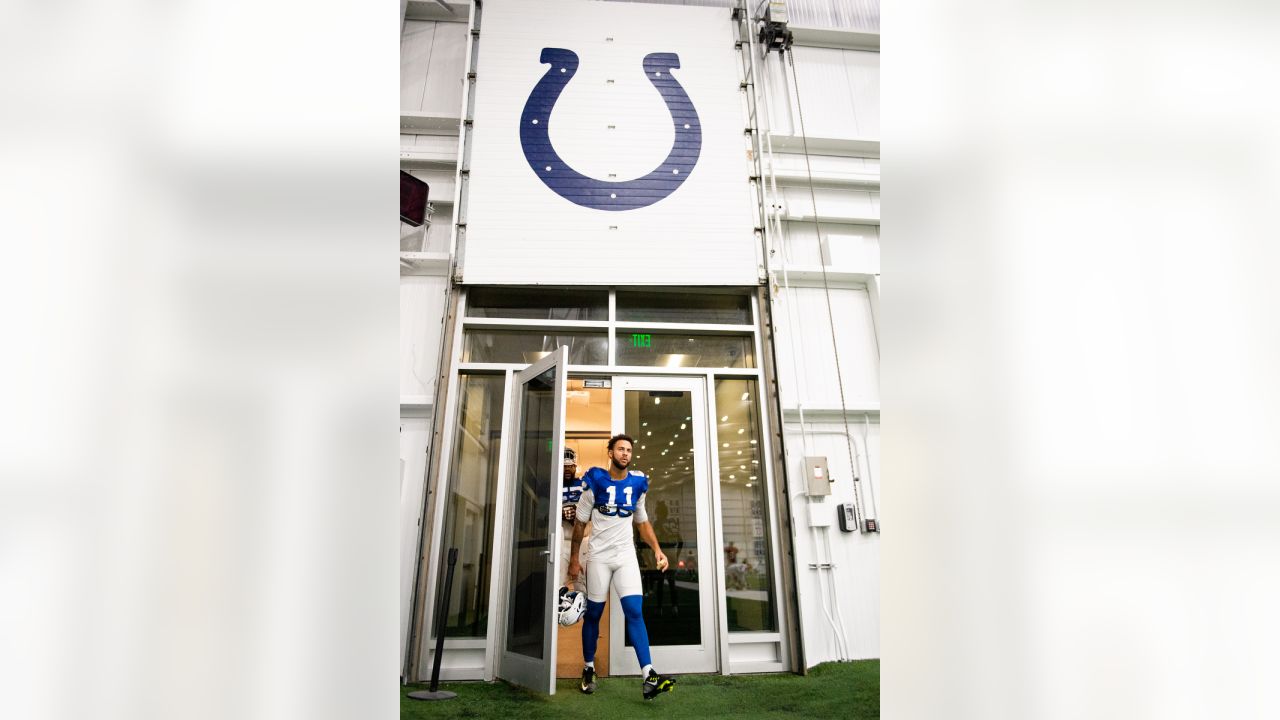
(749,594)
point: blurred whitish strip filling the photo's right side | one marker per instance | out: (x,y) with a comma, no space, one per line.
(1081,359)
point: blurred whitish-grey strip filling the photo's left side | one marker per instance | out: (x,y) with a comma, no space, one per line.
(200,457)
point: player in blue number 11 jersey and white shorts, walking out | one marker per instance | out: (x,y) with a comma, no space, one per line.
(614,502)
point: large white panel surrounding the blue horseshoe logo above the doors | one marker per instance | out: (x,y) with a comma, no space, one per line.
(522,231)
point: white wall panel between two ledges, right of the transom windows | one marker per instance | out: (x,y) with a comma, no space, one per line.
(811,377)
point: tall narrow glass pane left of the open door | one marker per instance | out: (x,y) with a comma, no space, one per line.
(470,504)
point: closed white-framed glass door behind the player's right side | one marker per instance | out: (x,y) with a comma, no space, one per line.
(668,418)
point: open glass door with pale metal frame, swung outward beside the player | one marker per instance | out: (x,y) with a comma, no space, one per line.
(528,640)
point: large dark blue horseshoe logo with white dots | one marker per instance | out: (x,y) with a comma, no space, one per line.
(606,195)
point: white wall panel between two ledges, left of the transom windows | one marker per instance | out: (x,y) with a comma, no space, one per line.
(423,302)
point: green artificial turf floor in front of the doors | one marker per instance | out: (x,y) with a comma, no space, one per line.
(831,690)
